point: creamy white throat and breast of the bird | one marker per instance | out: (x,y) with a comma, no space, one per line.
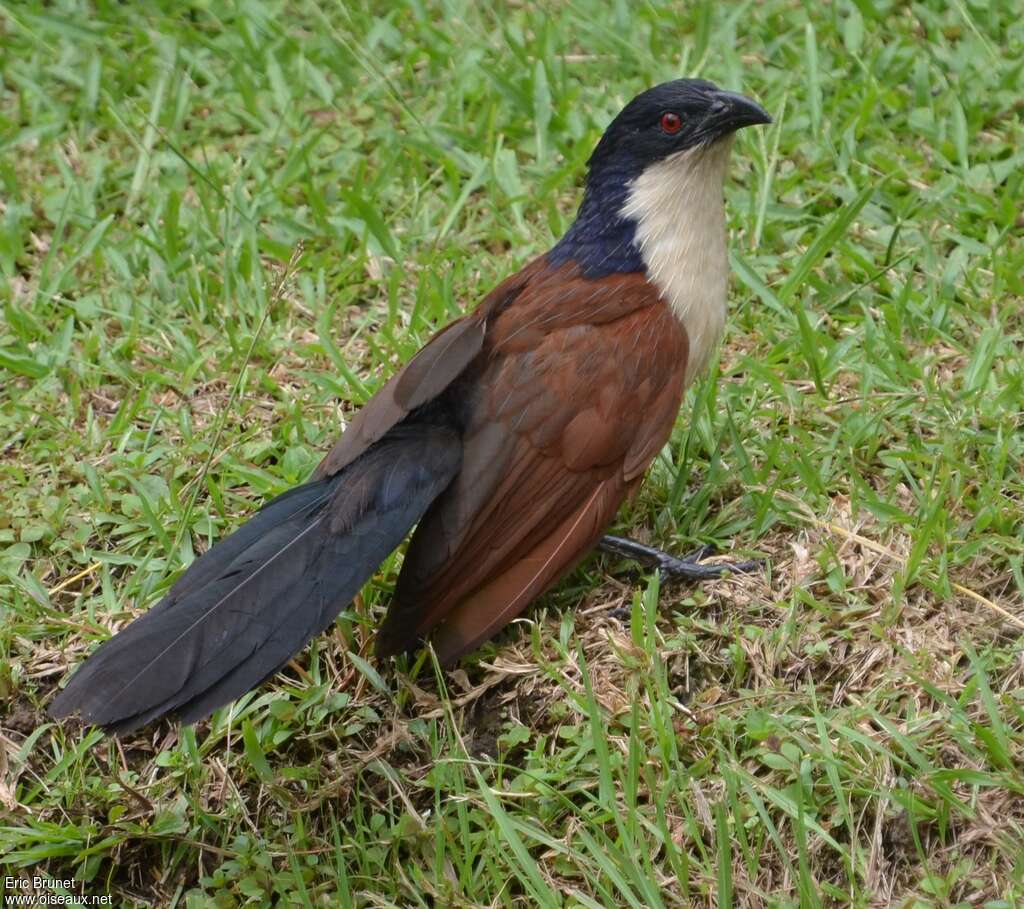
(680,214)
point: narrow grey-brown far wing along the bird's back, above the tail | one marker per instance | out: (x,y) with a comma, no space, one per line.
(429,374)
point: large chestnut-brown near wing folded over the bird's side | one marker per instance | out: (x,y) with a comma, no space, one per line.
(579,385)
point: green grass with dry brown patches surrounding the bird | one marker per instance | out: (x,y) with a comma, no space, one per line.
(223,225)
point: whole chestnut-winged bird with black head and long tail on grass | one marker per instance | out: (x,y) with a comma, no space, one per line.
(508,442)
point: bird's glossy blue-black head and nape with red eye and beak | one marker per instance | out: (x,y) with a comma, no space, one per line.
(672,118)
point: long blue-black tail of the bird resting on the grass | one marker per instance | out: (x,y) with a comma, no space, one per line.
(248,605)
